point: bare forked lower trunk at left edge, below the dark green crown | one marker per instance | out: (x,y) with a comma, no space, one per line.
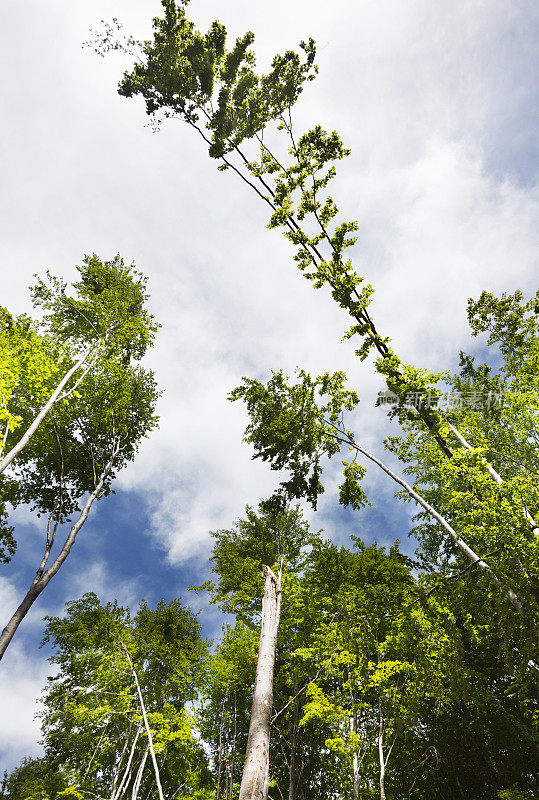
(43,576)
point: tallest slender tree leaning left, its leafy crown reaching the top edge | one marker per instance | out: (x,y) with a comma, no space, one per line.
(185,74)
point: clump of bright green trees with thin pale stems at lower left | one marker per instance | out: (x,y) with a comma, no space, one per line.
(121,697)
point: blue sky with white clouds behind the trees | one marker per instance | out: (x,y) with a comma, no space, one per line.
(437,102)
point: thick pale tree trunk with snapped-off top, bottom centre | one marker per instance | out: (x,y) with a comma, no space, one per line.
(255,778)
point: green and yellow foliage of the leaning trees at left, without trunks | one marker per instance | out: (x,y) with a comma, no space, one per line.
(110,399)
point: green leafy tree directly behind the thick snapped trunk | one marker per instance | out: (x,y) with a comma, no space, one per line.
(301,766)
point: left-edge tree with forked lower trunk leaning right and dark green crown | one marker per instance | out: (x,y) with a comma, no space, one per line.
(94,429)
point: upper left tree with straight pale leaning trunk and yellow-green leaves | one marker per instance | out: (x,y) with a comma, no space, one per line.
(43,364)
